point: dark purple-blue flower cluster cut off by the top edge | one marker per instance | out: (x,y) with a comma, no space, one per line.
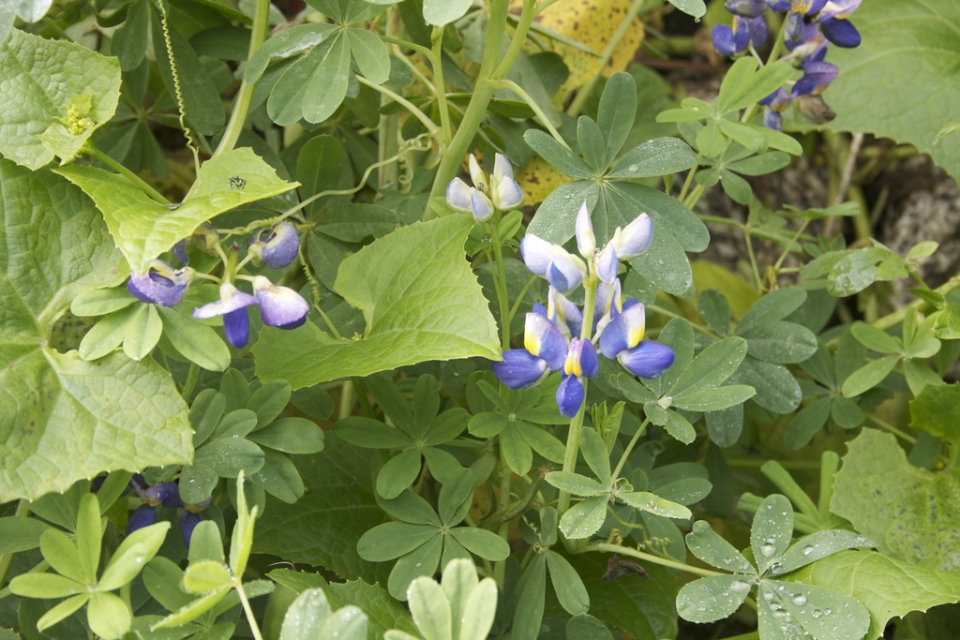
(807,28)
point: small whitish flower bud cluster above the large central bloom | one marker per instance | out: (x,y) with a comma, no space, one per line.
(488,193)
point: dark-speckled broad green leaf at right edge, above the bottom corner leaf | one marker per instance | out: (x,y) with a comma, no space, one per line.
(908,511)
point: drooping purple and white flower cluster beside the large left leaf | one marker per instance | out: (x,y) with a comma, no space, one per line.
(279,306)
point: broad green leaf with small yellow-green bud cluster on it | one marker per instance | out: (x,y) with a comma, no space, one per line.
(57,93)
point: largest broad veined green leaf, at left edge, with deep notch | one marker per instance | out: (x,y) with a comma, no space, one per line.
(134,406)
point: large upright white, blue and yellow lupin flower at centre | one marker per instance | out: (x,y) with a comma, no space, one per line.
(556,337)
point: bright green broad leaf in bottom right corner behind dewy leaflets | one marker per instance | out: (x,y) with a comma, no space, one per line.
(888,587)
